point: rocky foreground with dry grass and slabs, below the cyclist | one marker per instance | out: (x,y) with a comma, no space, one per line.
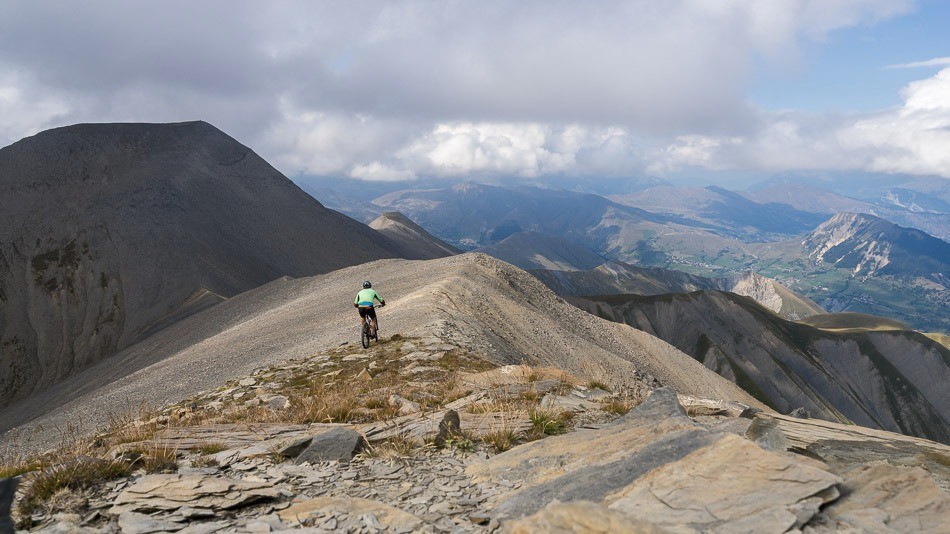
(424,437)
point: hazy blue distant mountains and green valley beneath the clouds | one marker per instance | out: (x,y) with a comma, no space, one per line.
(710,232)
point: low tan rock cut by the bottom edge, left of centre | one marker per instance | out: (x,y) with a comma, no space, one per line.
(329,511)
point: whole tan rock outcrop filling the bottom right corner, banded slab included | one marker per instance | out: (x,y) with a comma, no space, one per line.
(655,470)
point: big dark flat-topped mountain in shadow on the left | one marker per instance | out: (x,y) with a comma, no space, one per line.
(109,229)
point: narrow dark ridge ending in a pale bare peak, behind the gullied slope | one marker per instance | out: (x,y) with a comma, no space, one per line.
(618,278)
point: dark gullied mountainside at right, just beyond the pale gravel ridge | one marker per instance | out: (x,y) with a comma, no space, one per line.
(895,380)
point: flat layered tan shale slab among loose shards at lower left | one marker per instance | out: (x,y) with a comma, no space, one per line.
(170,492)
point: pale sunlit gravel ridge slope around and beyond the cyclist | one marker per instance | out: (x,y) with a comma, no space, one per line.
(476,301)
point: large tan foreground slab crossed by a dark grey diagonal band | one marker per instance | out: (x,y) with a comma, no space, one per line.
(657,466)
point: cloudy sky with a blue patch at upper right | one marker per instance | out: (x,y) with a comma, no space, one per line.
(484,89)
